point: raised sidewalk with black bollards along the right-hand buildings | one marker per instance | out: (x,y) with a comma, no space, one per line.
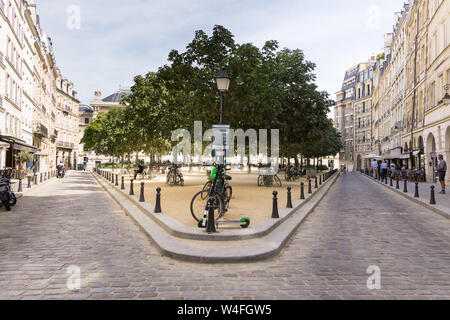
(442,205)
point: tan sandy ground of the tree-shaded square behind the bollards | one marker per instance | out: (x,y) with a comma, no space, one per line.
(248,199)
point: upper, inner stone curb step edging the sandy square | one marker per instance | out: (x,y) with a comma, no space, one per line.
(179,230)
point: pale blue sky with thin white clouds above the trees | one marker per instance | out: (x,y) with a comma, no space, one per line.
(102,45)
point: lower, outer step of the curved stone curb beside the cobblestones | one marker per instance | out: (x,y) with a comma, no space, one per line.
(242,252)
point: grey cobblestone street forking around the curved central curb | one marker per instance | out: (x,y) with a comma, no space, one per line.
(359,224)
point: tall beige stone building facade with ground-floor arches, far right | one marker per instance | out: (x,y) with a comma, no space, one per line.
(410,99)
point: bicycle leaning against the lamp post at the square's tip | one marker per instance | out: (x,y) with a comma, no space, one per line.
(217,196)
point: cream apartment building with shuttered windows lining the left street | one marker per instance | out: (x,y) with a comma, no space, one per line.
(30,91)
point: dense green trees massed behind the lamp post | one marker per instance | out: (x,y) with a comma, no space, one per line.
(270,89)
